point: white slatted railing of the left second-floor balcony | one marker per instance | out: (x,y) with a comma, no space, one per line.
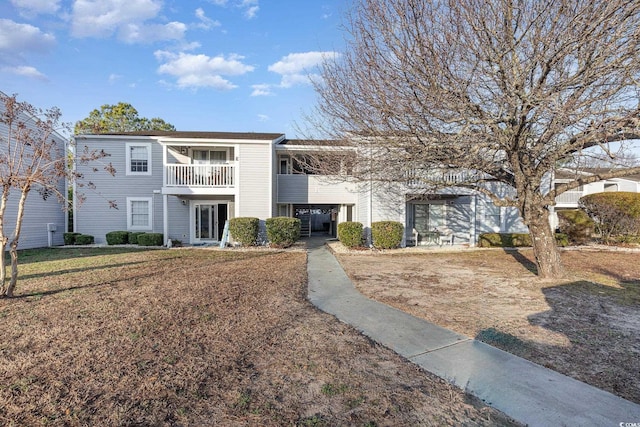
(211,175)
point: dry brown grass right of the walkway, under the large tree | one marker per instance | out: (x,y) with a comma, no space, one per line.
(587,327)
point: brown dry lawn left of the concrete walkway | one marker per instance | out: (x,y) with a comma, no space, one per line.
(200,337)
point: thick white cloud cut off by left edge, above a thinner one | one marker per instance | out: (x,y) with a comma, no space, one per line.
(18,39)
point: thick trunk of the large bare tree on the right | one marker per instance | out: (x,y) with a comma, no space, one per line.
(543,239)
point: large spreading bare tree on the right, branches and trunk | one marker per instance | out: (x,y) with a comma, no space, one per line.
(500,92)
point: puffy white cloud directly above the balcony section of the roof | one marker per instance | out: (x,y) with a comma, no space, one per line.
(194,71)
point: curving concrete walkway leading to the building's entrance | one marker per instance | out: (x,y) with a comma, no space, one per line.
(527,392)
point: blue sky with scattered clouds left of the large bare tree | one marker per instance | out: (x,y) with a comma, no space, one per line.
(217,65)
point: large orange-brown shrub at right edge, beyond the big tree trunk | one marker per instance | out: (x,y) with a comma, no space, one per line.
(614,213)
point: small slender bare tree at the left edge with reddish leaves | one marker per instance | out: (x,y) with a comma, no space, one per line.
(32,157)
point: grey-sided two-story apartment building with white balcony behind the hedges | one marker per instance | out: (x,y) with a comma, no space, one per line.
(187,184)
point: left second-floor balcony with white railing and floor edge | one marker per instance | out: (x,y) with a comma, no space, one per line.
(215,178)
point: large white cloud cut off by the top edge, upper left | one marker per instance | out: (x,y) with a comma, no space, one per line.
(127,18)
